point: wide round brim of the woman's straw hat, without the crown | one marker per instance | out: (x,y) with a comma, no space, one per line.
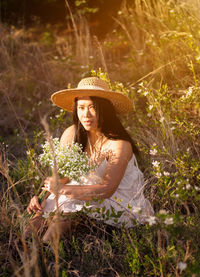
(65,98)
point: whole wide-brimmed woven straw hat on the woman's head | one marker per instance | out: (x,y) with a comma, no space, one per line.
(92,86)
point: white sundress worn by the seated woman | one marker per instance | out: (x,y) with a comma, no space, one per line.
(127,203)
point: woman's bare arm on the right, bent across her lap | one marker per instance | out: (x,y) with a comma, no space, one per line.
(120,154)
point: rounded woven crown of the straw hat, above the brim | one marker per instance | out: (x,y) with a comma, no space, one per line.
(93,83)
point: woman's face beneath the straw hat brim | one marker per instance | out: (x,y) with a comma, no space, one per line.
(87,114)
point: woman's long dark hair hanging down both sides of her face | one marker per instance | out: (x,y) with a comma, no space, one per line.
(108,122)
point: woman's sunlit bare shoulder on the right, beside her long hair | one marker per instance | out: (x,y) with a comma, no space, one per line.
(121,148)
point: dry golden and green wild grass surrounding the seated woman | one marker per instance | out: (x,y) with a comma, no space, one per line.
(153,54)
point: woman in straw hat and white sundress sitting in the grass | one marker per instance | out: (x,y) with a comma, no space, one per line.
(119,184)
